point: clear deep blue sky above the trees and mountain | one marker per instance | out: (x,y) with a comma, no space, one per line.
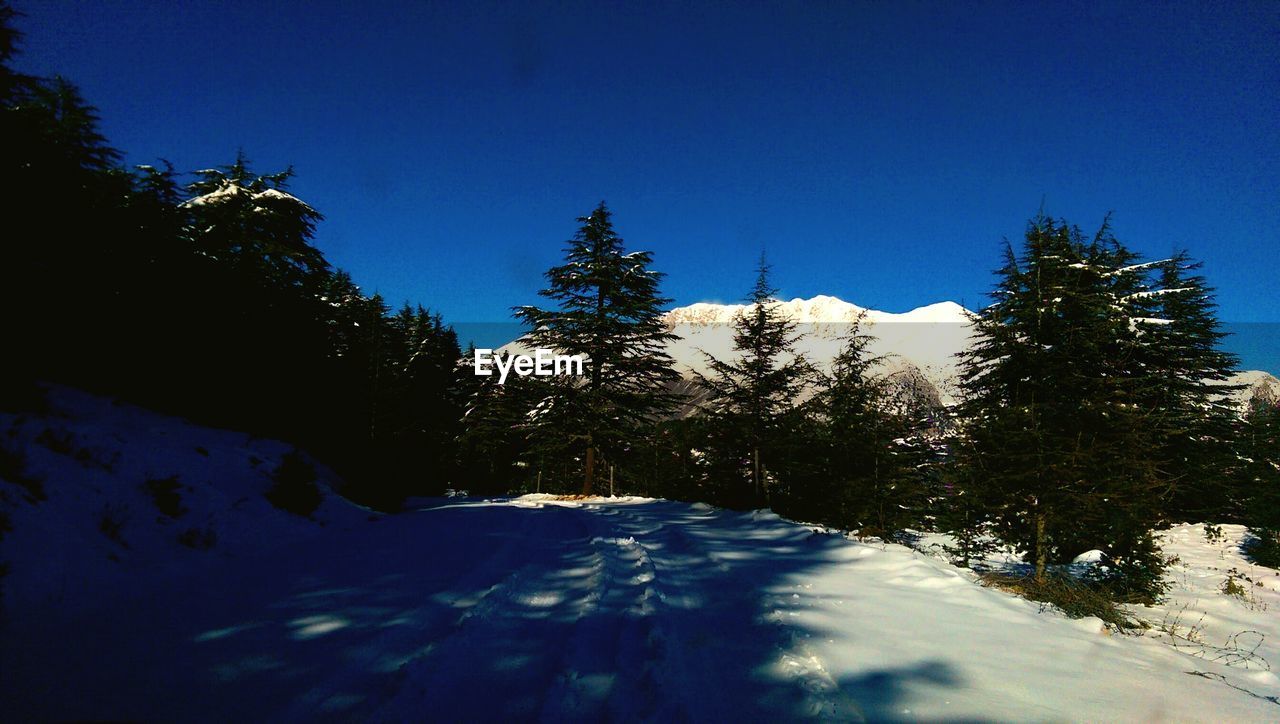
(879,152)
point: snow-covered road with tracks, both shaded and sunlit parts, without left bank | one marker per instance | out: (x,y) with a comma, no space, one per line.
(614,611)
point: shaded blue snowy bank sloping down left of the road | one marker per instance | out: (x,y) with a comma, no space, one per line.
(94,459)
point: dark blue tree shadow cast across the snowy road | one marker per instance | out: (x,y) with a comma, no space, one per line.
(481,613)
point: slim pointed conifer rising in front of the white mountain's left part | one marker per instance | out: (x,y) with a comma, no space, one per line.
(753,398)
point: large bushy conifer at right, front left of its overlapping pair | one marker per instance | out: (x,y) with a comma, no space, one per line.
(1057,443)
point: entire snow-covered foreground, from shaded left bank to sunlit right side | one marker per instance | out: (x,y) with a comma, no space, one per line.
(152,579)
